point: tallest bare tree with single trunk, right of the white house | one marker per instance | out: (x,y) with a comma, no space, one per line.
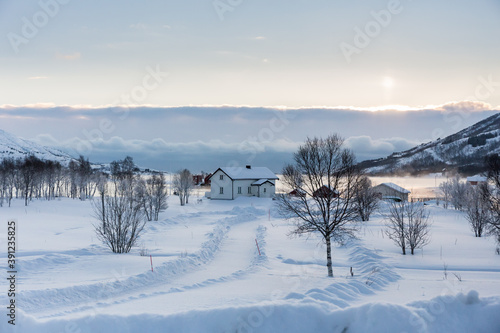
(325,172)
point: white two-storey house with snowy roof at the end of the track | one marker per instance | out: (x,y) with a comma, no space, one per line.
(228,183)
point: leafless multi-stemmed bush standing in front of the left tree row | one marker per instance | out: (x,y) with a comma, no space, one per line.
(121,220)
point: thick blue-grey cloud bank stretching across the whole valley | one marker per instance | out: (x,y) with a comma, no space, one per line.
(205,137)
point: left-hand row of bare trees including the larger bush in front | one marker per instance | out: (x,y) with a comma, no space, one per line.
(122,200)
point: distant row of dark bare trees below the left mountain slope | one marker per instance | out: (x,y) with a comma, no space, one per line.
(31,178)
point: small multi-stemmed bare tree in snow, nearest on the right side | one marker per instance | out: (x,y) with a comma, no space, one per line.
(408,225)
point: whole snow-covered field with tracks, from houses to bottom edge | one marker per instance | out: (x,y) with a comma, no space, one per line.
(208,275)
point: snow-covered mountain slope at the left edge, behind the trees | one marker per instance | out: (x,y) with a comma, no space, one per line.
(12,146)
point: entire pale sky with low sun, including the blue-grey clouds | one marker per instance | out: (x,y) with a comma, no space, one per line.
(197,80)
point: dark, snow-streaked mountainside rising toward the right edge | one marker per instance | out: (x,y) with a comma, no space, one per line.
(463,151)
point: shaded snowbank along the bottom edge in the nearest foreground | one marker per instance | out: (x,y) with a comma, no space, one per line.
(460,313)
